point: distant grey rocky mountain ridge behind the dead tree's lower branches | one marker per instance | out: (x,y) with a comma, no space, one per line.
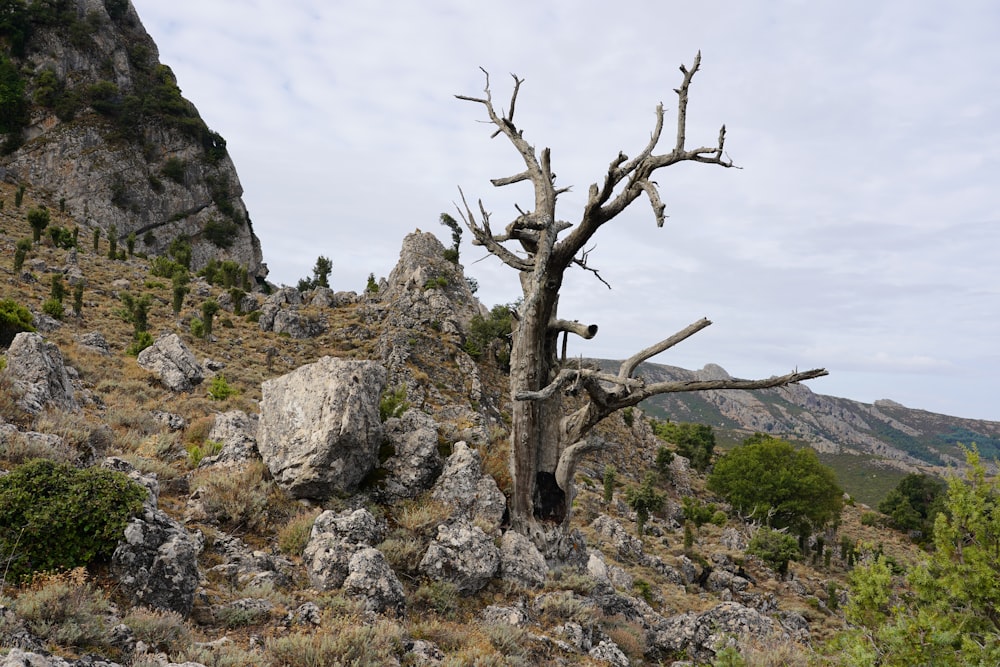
(898,436)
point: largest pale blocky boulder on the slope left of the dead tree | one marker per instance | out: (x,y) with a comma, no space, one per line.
(320,431)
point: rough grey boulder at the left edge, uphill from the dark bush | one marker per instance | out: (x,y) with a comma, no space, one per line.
(39,374)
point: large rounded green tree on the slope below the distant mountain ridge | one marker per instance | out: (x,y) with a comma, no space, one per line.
(769,479)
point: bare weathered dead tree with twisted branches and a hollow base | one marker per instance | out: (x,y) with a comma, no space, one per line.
(547,438)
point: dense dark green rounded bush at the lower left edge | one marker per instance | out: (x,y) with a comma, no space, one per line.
(56,517)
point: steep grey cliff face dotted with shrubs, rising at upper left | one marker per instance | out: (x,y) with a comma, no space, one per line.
(104,133)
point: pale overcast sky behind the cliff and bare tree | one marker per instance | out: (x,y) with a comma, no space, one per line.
(861,235)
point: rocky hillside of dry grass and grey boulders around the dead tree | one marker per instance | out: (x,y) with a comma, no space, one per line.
(326,477)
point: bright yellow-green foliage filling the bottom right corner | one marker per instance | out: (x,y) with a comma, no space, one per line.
(949,616)
